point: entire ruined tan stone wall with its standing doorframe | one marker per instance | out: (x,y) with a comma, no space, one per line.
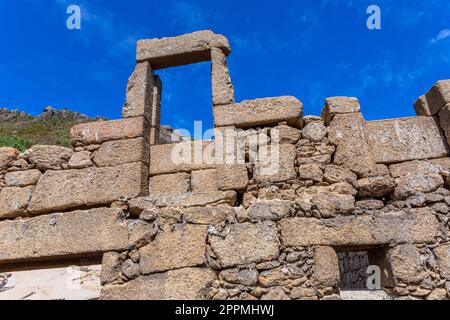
(345,193)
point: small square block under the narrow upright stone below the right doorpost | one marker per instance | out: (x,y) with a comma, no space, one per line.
(232,177)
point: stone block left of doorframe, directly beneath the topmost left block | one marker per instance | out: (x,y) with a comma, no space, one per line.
(113,153)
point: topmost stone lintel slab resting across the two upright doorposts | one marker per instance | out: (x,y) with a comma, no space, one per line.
(181,50)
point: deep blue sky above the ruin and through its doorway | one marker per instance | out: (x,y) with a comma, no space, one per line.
(311,49)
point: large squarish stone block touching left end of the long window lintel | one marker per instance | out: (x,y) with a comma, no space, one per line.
(245,243)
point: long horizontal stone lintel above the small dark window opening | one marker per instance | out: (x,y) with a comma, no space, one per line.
(378,229)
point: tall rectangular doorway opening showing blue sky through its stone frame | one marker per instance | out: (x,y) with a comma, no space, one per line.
(186,102)
